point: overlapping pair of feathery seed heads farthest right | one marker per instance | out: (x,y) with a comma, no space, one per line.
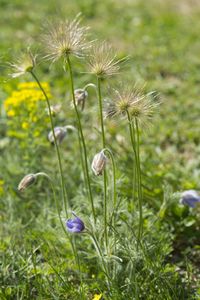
(133,102)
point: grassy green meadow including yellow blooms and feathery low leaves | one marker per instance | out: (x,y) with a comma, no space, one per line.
(40,259)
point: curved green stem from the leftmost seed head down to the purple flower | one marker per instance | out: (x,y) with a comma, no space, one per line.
(55,142)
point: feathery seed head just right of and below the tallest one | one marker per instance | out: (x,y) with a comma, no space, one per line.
(103,62)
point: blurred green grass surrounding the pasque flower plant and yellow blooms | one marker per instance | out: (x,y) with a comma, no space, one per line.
(162,40)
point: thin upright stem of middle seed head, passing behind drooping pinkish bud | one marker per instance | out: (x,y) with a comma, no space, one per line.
(103,145)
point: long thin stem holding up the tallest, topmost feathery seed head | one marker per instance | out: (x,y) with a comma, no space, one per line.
(82,136)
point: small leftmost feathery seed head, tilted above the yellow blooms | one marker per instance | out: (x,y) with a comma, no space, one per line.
(25,64)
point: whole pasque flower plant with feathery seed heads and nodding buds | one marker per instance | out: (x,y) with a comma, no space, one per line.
(104,225)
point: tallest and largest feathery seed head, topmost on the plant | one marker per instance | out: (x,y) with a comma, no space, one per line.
(65,38)
